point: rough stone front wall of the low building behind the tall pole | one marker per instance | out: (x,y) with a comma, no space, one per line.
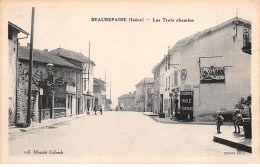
(65,74)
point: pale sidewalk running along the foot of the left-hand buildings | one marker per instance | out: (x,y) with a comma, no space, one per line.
(44,124)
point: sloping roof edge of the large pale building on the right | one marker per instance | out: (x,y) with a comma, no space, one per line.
(206,32)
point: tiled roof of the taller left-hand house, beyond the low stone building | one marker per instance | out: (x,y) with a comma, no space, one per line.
(71,55)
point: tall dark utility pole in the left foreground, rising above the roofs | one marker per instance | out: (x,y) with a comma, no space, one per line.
(28,120)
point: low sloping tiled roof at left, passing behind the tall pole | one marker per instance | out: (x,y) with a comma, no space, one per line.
(40,56)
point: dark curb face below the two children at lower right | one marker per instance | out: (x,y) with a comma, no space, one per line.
(232,144)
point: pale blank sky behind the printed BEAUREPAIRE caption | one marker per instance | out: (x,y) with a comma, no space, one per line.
(127,50)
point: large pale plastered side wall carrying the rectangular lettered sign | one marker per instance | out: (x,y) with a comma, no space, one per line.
(209,97)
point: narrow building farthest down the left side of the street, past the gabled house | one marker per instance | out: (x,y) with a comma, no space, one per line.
(100,93)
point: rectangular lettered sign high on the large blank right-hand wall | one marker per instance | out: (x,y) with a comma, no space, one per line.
(212,74)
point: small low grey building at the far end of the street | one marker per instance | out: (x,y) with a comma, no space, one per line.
(126,102)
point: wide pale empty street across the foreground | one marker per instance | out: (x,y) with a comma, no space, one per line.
(127,134)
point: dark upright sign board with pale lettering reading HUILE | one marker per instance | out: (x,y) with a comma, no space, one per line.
(186,101)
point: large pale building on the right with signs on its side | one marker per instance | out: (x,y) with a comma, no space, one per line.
(207,71)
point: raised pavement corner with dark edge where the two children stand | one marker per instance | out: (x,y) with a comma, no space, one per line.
(236,140)
